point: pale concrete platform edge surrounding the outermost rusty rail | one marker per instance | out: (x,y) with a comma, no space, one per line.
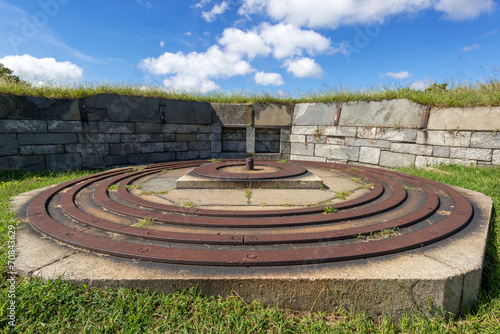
(445,275)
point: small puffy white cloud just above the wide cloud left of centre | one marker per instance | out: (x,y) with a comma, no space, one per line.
(241,42)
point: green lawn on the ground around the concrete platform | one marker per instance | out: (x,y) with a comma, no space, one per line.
(56,306)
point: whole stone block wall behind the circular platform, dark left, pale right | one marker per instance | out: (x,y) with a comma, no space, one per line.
(110,130)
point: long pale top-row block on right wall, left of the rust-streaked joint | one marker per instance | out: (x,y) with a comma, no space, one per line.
(387,113)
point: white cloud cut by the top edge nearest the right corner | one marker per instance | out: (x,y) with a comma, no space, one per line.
(459,10)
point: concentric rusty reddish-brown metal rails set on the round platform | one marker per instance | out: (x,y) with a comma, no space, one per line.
(221,230)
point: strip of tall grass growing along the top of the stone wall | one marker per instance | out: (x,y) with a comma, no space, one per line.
(460,95)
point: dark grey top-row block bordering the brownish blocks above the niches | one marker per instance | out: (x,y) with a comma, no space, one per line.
(188,112)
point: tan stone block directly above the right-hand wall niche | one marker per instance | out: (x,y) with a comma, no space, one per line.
(273,114)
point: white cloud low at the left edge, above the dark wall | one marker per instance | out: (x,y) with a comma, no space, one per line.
(31,68)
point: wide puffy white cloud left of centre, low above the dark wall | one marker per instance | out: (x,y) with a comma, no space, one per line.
(195,71)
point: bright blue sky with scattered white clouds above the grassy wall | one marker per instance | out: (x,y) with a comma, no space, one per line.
(276,46)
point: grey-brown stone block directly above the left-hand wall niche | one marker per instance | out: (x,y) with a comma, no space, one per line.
(232,114)
